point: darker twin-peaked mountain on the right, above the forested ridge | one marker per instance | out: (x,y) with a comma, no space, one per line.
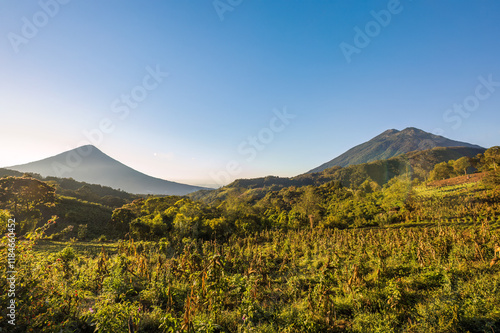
(389,144)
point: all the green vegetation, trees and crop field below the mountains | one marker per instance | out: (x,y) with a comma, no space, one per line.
(401,255)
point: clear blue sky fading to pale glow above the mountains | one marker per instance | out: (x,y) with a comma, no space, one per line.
(194,91)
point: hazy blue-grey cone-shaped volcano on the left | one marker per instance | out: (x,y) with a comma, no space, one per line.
(99,168)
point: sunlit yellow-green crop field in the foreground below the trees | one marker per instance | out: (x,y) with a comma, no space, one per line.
(425,279)
